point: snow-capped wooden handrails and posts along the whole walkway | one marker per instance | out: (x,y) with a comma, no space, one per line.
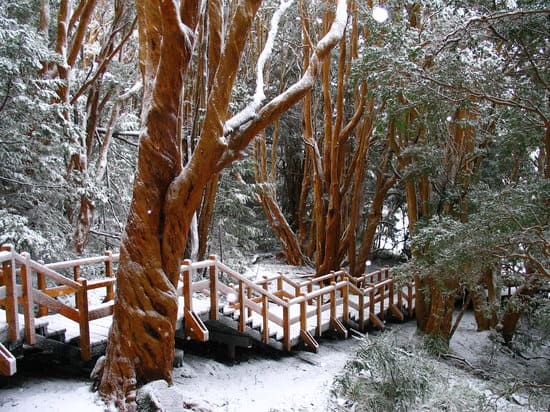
(314,297)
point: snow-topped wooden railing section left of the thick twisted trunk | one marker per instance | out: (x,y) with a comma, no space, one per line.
(41,284)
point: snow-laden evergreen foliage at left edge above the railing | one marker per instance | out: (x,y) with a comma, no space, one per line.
(32,155)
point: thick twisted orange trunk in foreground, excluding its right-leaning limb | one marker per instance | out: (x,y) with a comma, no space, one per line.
(141,339)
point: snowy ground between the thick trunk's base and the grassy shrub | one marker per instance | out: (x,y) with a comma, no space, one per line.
(300,382)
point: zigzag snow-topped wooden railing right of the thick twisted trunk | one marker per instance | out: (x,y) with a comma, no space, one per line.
(285,304)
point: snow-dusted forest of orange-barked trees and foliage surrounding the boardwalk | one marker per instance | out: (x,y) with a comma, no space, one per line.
(321,134)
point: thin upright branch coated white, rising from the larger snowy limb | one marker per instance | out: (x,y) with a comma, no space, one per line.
(250,110)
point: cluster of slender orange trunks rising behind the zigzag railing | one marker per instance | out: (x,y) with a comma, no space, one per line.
(326,216)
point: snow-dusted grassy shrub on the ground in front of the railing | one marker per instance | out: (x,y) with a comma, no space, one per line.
(386,377)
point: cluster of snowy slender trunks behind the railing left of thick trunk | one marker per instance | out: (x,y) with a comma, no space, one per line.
(87,163)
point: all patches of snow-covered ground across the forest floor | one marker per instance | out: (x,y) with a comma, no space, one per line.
(260,381)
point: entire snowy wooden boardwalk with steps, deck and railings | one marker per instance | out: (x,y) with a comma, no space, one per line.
(69,305)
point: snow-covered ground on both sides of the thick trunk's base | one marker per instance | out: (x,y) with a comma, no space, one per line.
(263,382)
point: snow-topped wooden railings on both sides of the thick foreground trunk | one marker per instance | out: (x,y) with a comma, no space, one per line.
(290,310)
